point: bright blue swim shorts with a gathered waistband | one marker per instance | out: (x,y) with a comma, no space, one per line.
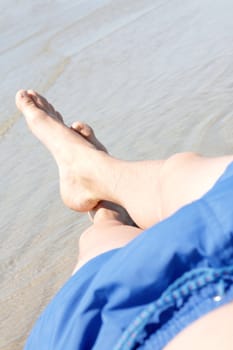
(142,295)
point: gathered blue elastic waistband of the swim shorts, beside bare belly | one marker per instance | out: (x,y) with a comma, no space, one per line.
(191,296)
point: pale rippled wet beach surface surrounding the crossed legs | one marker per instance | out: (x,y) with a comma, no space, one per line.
(152,77)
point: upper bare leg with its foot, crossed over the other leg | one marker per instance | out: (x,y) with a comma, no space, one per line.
(149,190)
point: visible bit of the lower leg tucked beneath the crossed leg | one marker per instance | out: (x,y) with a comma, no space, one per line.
(110,229)
